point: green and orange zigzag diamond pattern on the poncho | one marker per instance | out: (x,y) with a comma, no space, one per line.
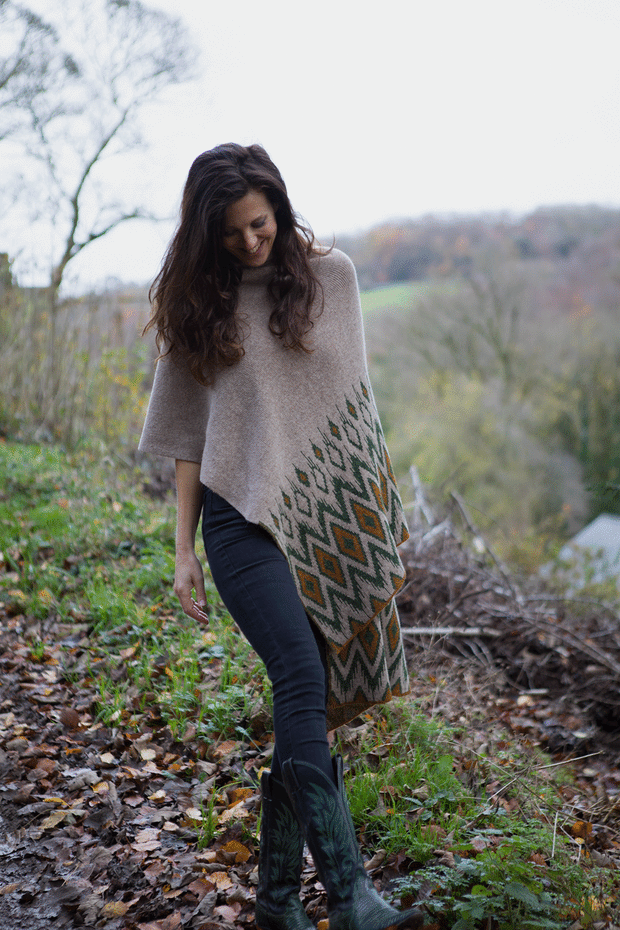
(339,520)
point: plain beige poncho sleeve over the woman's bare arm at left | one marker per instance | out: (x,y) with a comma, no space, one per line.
(177,414)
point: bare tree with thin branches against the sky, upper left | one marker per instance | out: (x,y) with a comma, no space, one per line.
(118,56)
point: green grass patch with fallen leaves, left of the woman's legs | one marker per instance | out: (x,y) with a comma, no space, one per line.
(94,551)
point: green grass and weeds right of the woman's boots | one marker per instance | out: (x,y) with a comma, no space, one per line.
(509,861)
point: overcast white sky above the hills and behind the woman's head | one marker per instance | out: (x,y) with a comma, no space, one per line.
(391,108)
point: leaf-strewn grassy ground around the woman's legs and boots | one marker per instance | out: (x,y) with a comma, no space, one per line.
(131,743)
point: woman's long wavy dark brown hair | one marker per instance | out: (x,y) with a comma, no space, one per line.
(194,296)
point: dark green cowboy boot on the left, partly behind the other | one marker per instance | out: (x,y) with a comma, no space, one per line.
(279,862)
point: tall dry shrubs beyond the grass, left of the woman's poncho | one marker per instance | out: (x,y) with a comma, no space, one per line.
(74,374)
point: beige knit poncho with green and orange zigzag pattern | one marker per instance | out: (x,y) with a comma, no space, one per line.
(293,441)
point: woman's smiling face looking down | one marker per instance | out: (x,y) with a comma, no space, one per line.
(250,229)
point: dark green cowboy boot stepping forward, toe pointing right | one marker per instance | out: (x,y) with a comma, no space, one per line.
(353,903)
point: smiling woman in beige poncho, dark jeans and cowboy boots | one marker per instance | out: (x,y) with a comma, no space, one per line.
(261,395)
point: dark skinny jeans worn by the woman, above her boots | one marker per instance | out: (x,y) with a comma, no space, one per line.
(254,580)
